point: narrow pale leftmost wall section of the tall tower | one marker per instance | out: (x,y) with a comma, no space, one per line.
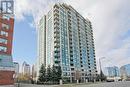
(41,44)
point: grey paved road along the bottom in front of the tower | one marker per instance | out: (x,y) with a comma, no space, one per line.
(109,84)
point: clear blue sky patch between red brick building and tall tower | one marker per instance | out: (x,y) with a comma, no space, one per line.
(25,41)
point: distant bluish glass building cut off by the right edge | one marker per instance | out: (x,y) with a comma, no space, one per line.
(125,72)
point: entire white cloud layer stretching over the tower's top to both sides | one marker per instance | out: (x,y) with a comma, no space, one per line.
(110,20)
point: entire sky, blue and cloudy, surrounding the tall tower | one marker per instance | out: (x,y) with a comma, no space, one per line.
(110,21)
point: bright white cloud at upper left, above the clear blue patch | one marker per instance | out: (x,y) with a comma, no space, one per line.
(36,8)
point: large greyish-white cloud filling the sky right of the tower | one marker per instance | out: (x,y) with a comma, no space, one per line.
(109,26)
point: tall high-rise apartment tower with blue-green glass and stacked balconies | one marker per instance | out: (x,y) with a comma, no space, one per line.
(65,38)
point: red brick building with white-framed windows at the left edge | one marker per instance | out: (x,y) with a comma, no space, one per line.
(6,38)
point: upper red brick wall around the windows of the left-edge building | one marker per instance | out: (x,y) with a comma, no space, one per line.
(9,38)
